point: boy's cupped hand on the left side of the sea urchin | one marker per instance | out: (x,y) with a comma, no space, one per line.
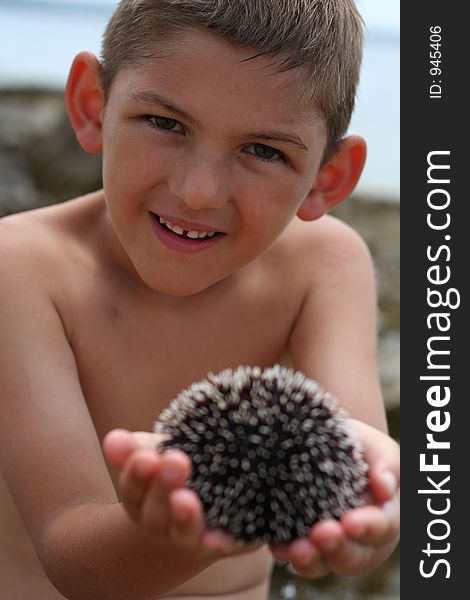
(152,488)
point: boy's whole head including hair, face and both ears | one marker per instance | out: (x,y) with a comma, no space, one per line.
(213,136)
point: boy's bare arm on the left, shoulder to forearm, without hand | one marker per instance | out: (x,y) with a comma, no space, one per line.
(51,458)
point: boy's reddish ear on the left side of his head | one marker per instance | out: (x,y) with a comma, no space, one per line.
(85,101)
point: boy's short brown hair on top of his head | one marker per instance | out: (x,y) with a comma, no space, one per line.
(323,38)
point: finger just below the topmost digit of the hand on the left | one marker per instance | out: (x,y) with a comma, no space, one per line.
(136,478)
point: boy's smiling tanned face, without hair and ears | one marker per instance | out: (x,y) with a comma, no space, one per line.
(210,142)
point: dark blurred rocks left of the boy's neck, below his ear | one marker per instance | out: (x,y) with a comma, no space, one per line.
(41,162)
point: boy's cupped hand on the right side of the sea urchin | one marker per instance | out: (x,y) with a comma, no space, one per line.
(364,537)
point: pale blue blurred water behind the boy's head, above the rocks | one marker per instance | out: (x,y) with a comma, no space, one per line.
(39,38)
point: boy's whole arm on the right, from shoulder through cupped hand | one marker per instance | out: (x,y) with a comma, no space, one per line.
(334,342)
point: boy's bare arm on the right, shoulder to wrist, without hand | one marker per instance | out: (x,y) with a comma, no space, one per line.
(334,337)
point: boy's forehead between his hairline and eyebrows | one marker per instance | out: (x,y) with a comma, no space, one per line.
(199,62)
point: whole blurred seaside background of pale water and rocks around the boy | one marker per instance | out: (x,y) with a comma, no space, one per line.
(41,163)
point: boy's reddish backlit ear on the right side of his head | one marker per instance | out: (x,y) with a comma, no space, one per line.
(336,179)
